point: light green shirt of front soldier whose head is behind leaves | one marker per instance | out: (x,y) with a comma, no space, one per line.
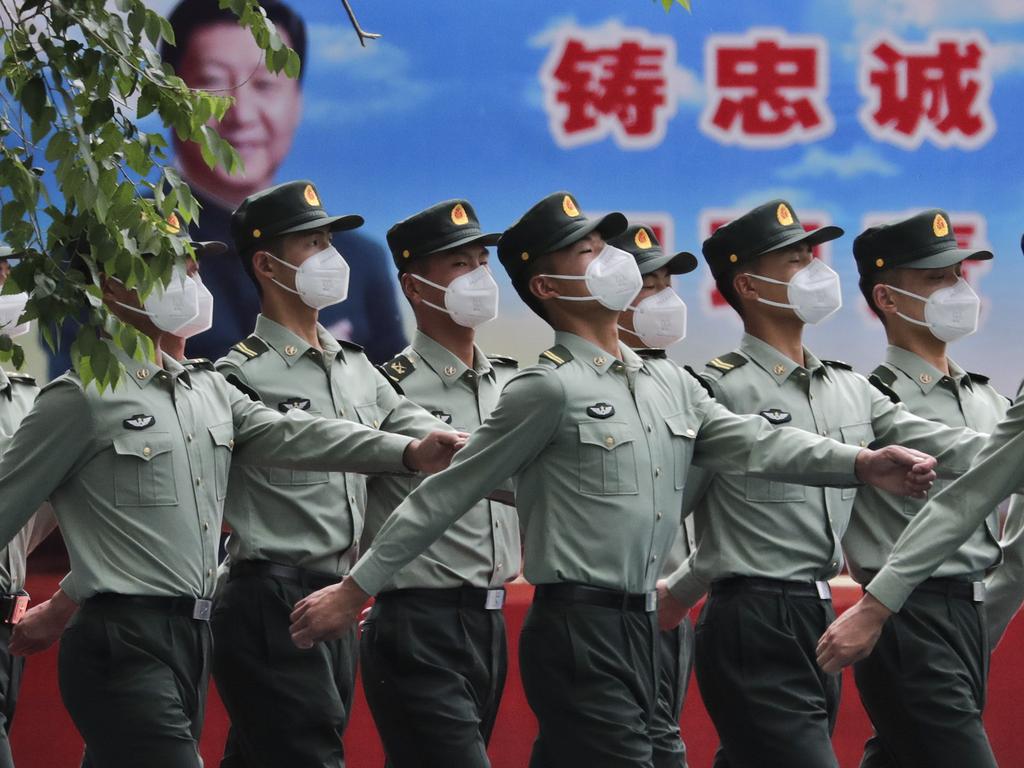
(138,476)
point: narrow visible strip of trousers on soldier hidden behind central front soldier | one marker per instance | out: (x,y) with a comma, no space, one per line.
(676,649)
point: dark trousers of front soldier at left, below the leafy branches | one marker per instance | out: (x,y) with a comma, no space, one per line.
(135,681)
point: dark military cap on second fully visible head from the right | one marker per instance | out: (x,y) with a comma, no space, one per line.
(769,228)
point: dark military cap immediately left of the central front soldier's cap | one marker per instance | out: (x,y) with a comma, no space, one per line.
(441,228)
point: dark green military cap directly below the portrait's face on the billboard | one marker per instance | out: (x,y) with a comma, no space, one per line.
(285,209)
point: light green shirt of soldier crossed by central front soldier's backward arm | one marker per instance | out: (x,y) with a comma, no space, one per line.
(482,548)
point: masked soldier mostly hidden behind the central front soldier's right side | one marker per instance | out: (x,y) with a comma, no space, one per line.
(657,321)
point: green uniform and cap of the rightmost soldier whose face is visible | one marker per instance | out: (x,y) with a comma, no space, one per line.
(924,686)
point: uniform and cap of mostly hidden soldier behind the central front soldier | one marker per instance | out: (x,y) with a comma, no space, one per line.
(676,647)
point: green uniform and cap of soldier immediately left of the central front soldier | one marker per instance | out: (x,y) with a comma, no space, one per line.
(434,650)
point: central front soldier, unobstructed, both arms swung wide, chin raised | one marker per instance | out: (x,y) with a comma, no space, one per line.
(600,445)
